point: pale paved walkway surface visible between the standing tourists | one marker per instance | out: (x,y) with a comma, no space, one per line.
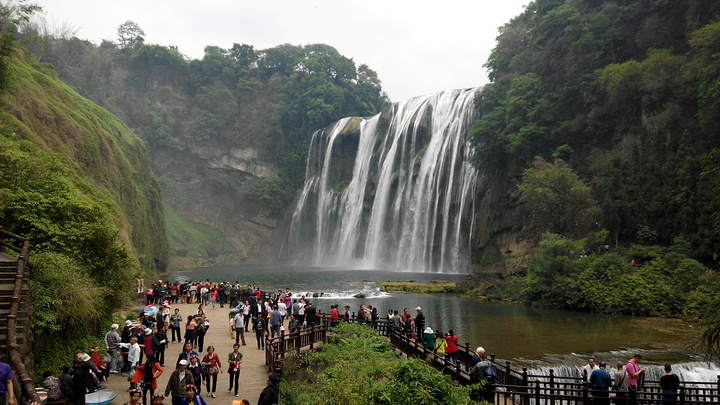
(253,375)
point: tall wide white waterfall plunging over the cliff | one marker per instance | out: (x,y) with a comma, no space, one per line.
(407,203)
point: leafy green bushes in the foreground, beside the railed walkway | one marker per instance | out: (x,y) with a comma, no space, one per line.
(357,366)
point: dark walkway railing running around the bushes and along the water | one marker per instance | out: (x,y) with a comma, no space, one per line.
(511,387)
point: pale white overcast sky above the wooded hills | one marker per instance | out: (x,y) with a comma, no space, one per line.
(417,47)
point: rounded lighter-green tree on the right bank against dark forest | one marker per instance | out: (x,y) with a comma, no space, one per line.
(555,198)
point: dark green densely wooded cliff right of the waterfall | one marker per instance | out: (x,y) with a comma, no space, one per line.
(605,114)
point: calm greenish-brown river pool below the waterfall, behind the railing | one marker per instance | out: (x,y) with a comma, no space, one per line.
(530,337)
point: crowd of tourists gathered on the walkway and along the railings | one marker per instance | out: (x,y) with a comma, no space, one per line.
(137,350)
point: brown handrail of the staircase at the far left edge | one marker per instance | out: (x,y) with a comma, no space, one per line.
(14,355)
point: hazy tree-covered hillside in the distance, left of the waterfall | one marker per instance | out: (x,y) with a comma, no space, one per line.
(227,134)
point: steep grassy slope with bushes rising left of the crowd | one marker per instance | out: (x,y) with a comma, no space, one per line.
(77,182)
